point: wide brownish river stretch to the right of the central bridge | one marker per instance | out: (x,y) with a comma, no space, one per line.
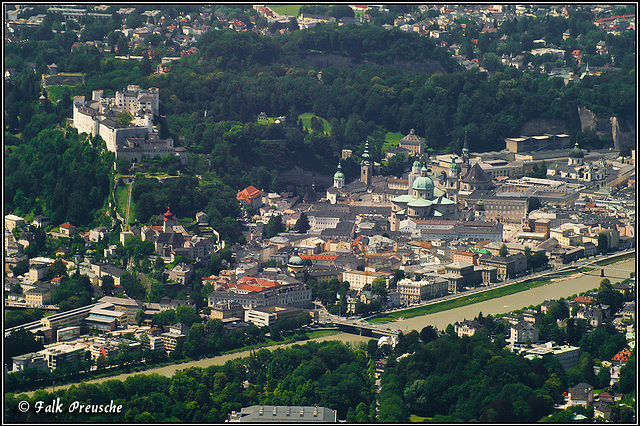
(555,290)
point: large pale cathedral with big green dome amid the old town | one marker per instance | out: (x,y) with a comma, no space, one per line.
(422,202)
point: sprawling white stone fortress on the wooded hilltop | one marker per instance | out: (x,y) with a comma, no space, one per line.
(135,141)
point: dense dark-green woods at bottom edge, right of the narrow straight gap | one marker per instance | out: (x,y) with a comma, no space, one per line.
(467,379)
